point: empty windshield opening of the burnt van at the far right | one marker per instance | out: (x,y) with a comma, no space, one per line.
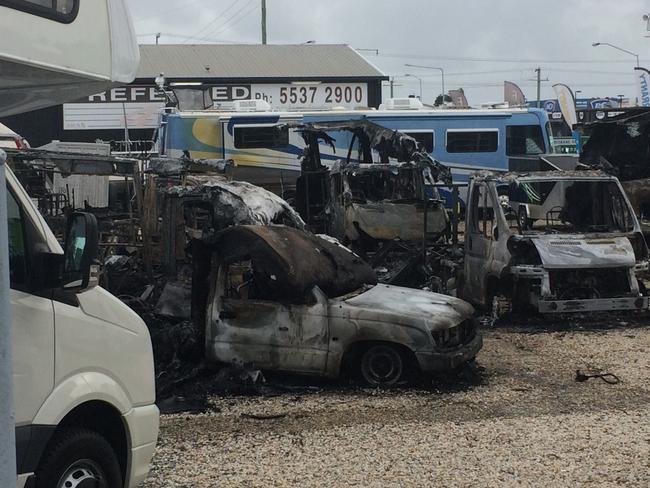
(567,206)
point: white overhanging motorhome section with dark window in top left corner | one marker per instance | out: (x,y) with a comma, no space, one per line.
(74,48)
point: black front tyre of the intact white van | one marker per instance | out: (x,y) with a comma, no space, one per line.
(79,458)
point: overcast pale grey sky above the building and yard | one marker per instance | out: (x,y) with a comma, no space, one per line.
(479,43)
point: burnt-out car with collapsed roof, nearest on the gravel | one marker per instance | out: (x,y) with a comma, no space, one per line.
(285,299)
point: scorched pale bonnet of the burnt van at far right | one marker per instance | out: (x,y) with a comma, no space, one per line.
(584,251)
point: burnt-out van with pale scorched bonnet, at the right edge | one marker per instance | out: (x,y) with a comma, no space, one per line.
(555,241)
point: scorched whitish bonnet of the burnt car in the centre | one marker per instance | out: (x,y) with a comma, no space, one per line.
(438,311)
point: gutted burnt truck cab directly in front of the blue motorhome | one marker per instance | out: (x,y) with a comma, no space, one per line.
(381,190)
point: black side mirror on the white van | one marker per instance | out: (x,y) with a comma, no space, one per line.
(80,269)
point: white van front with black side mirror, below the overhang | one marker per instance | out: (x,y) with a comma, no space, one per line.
(83,364)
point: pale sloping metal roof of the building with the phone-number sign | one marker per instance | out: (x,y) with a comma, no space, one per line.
(241,61)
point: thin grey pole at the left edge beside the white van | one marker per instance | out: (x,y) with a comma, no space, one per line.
(7,419)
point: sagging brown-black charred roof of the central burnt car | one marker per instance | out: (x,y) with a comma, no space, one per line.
(291,261)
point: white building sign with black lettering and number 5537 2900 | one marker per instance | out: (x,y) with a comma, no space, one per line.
(139,106)
